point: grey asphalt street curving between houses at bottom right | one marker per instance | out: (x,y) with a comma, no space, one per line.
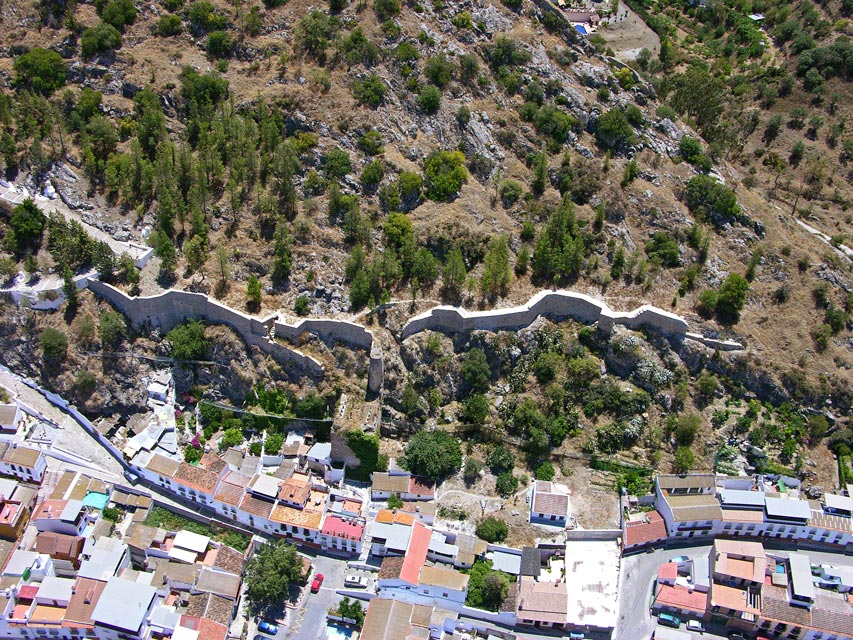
(639,571)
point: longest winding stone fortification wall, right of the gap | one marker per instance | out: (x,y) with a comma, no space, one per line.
(556,305)
